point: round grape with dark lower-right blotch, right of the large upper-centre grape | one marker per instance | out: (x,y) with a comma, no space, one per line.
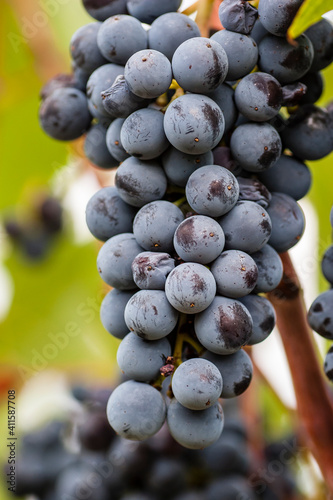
(256,146)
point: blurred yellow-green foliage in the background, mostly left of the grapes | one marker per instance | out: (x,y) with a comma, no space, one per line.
(62,292)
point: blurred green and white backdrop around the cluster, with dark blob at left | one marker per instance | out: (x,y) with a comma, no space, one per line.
(50,293)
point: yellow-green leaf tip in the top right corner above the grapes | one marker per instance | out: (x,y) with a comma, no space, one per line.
(309,13)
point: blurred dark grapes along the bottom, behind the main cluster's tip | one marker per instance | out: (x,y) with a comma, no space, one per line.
(83,458)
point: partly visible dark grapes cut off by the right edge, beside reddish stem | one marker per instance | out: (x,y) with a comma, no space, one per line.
(320,315)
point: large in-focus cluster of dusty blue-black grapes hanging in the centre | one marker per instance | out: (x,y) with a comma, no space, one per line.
(205,196)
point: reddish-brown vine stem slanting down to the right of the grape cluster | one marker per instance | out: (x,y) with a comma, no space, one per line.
(315,408)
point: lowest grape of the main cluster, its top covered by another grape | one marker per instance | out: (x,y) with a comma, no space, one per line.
(195,429)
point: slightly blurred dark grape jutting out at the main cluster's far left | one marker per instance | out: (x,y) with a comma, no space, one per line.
(64,115)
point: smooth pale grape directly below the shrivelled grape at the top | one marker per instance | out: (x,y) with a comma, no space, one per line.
(241,50)
